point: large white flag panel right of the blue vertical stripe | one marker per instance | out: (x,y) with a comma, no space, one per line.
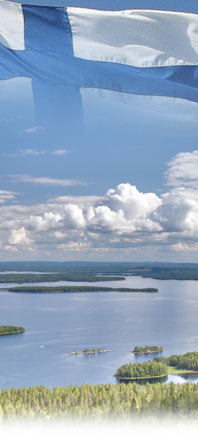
(138,38)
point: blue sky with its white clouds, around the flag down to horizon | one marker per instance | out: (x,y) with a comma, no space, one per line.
(109,194)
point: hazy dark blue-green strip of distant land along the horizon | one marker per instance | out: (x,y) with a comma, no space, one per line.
(87,271)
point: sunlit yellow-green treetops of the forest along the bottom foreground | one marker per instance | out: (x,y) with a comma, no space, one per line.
(100,401)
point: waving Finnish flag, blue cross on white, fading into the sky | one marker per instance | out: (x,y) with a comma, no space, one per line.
(66,59)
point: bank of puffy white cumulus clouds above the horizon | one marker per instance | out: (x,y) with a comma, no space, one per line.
(123,224)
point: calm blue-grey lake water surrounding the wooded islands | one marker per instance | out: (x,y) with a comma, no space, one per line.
(60,323)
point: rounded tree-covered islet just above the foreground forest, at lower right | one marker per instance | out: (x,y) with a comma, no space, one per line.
(146,370)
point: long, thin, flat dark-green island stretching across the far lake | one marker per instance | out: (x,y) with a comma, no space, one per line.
(77,289)
